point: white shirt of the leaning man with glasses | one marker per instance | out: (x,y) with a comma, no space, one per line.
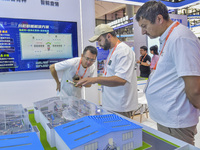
(69,68)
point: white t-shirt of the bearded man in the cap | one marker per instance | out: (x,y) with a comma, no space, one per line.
(121,98)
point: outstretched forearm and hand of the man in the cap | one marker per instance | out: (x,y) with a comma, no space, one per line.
(107,81)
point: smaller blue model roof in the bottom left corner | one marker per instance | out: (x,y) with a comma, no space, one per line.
(24,141)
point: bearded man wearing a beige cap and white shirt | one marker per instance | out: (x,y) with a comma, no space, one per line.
(119,81)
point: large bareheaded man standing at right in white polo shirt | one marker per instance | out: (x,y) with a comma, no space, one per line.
(173,89)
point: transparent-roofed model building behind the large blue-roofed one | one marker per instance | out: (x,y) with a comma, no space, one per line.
(53,112)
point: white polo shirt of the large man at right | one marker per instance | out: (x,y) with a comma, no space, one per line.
(167,101)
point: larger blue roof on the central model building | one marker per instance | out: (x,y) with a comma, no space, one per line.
(88,128)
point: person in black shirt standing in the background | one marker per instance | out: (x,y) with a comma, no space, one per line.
(145,61)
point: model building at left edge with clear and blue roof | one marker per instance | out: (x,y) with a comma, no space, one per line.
(16,132)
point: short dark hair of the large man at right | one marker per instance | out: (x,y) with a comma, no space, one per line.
(150,10)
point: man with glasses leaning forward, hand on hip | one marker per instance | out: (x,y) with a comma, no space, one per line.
(73,70)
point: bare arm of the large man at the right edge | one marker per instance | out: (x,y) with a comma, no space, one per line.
(192,89)
